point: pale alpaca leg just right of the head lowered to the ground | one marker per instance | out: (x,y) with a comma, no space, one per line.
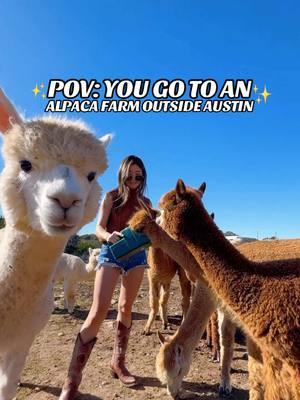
(227,332)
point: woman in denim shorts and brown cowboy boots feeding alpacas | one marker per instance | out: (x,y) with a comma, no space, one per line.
(115,211)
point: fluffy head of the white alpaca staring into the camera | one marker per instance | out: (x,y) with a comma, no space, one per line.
(49,182)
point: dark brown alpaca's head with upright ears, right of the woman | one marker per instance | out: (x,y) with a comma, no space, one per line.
(175,204)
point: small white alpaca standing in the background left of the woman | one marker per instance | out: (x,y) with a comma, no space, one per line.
(71,270)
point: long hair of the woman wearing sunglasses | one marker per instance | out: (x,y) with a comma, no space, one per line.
(123,190)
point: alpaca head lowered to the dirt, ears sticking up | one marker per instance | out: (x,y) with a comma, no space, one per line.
(171,365)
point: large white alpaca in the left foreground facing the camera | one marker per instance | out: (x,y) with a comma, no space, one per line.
(48,190)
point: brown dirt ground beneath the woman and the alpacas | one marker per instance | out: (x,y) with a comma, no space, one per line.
(48,360)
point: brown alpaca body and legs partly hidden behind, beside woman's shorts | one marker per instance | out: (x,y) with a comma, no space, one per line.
(162,270)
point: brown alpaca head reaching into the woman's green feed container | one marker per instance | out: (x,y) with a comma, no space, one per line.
(144,221)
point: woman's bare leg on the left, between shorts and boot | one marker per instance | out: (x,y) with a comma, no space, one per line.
(105,283)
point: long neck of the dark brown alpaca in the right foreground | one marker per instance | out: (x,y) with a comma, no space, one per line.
(229,273)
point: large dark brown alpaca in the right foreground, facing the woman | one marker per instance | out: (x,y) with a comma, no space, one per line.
(264,297)
